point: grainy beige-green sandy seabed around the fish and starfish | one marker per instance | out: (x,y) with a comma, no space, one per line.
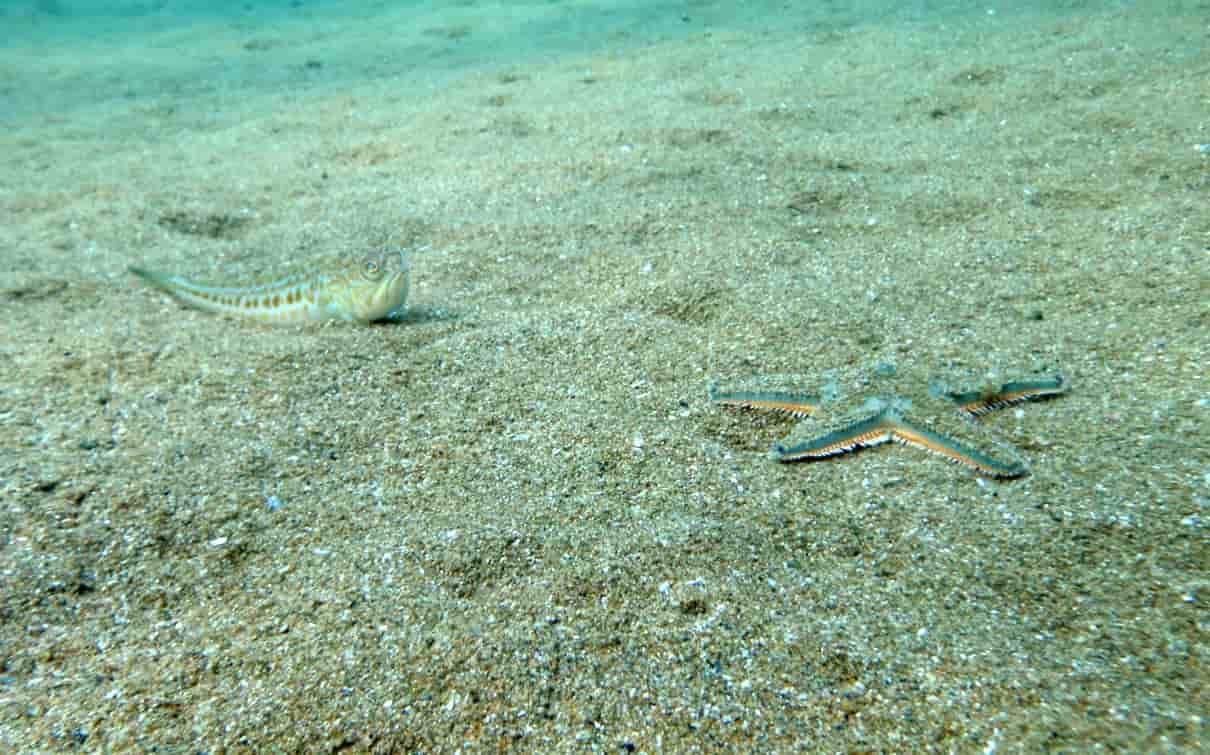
(512,518)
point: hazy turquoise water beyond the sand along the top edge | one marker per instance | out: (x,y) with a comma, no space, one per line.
(59,56)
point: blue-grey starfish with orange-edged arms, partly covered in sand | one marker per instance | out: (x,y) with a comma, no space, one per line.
(903,419)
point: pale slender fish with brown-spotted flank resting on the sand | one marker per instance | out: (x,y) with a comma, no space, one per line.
(355,290)
